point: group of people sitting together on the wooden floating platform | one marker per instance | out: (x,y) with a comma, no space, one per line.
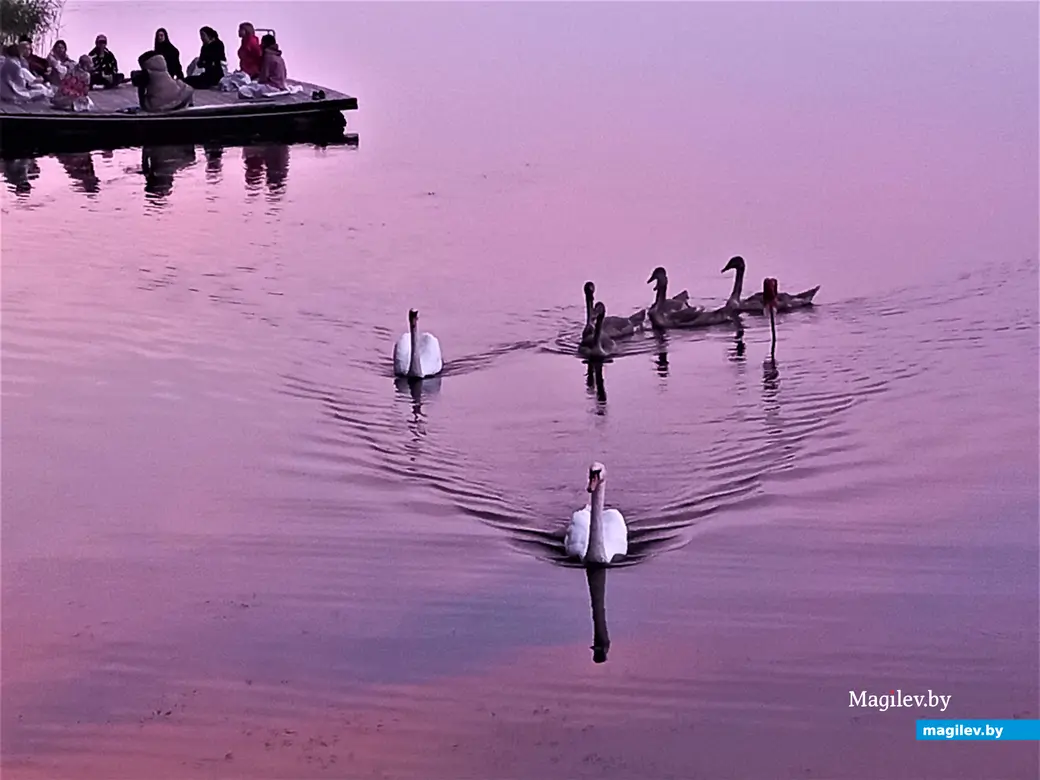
(162,84)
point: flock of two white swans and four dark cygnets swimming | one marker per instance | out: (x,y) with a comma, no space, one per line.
(597,536)
